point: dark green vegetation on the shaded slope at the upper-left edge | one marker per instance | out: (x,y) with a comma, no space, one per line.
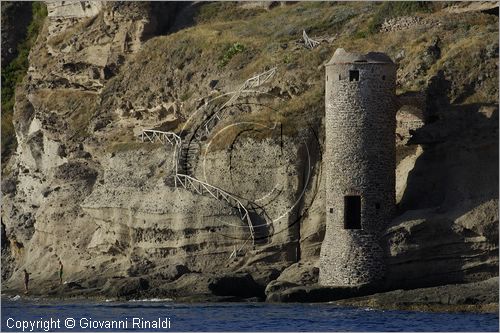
(13,74)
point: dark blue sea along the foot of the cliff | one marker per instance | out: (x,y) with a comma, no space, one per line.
(84,316)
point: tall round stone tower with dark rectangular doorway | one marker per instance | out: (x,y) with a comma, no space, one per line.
(360,166)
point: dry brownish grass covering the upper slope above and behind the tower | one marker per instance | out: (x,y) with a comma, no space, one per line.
(270,39)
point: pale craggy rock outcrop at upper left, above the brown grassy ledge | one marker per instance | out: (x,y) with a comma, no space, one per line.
(85,42)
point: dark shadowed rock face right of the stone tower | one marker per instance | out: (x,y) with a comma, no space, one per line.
(448,228)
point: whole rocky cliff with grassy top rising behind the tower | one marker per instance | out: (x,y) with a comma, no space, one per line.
(82,185)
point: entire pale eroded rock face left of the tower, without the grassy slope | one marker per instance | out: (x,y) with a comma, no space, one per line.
(80,195)
